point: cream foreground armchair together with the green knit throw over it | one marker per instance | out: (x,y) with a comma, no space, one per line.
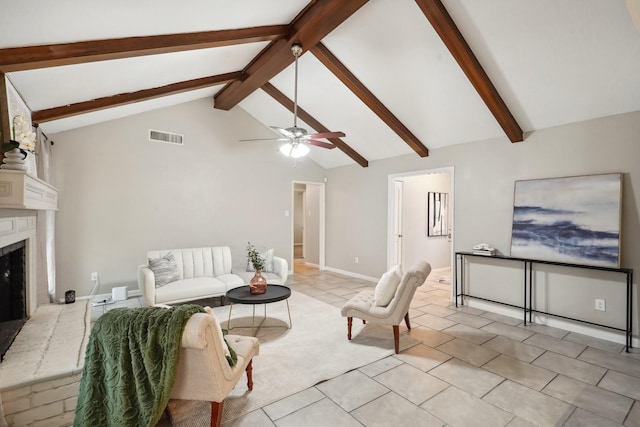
(139,358)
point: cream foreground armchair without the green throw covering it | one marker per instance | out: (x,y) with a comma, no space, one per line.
(203,371)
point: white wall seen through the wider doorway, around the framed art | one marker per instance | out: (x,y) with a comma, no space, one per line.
(416,245)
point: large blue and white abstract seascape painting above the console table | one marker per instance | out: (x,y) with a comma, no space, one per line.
(574,220)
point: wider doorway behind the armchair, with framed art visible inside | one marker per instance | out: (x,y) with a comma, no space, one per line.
(407,235)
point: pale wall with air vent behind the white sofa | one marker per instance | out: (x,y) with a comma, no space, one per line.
(121,195)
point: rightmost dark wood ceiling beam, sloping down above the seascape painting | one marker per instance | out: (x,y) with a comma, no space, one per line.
(442,22)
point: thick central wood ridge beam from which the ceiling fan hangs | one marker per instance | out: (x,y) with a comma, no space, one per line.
(316,21)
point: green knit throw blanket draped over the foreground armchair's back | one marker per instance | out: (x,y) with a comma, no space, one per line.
(130,366)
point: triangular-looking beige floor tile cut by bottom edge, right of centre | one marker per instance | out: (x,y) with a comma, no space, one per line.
(393,410)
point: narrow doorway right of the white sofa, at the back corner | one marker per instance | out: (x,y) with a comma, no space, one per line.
(307,223)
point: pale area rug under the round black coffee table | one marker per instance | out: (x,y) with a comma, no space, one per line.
(314,350)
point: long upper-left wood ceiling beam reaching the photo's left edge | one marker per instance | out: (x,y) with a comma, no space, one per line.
(31,57)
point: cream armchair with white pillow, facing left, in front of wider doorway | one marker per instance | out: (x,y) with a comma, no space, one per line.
(364,305)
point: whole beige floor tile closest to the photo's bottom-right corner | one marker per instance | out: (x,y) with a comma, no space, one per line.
(594,399)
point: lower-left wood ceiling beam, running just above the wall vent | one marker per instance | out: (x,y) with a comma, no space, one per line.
(131,97)
